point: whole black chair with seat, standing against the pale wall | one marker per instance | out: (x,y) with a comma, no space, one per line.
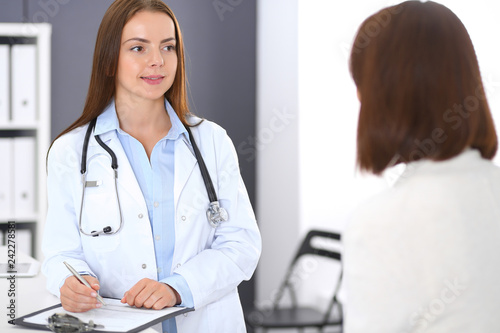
(296,316)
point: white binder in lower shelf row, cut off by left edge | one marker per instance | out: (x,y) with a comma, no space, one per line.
(6,181)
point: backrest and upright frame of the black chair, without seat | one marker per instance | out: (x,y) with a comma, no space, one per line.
(308,247)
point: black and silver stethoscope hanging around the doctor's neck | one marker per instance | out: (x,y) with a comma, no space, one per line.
(215,213)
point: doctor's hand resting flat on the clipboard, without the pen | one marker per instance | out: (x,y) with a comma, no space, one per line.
(151,294)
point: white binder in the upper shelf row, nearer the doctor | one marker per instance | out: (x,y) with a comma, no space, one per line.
(23,79)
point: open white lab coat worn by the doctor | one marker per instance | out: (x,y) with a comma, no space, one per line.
(212,261)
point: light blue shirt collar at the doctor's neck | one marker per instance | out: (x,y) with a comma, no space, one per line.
(108,121)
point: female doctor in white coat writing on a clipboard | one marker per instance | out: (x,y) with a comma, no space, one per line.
(128,195)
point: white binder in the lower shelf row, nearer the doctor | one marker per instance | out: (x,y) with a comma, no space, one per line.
(24,177)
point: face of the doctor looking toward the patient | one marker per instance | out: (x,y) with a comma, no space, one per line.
(148,60)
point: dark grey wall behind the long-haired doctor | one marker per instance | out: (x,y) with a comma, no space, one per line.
(220,45)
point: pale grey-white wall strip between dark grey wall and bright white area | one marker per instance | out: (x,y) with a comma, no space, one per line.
(277,143)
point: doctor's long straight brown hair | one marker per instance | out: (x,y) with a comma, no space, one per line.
(107,49)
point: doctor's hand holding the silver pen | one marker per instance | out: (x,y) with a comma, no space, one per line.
(76,297)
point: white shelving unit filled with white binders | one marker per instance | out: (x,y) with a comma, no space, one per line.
(24,130)
